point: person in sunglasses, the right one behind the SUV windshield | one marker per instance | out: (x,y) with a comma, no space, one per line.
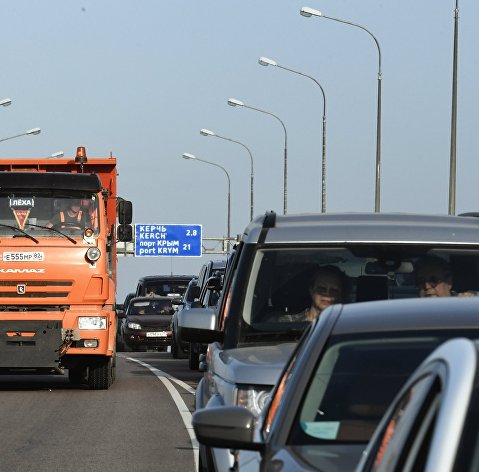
(434,278)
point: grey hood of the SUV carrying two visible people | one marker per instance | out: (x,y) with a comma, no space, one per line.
(257,364)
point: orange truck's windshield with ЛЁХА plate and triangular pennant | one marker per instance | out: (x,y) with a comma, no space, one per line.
(47,216)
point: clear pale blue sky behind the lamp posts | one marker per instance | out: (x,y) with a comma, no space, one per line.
(139,79)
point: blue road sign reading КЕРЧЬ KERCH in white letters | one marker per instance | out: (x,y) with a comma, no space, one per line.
(167,240)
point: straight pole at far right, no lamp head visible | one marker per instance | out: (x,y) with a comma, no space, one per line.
(452,165)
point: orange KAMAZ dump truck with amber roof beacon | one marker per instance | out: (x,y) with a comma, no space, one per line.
(58,267)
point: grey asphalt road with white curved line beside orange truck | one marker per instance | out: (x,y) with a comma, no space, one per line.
(138,425)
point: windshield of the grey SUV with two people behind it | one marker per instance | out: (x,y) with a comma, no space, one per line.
(280,286)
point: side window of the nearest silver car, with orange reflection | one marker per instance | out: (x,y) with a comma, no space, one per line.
(405,439)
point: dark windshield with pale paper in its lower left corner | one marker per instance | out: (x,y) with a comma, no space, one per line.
(354,381)
